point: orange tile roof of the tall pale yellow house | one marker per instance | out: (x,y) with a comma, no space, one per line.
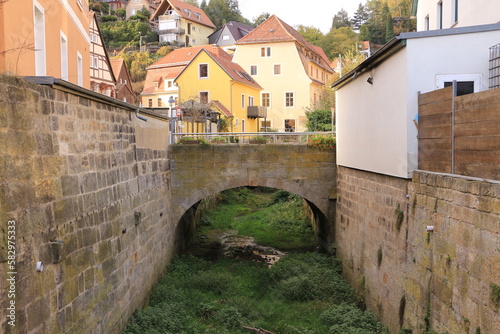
(275,30)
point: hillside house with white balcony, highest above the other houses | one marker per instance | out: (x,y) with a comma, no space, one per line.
(179,23)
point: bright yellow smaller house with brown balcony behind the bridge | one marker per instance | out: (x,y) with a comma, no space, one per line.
(212,78)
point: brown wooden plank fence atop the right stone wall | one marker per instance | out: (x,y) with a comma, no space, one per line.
(460,134)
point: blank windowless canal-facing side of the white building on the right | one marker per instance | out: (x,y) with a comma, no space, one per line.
(373,121)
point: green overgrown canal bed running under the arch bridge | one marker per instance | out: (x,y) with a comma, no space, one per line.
(254,267)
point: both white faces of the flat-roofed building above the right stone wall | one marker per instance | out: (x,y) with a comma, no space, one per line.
(375,130)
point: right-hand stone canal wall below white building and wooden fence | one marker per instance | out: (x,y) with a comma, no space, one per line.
(441,280)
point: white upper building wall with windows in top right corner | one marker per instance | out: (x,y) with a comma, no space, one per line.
(470,13)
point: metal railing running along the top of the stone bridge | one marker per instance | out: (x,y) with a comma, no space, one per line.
(250,137)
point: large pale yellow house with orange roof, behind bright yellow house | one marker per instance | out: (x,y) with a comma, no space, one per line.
(291,71)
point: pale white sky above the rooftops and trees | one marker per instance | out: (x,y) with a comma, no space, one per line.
(316,13)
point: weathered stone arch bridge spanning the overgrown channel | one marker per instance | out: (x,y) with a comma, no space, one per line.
(199,171)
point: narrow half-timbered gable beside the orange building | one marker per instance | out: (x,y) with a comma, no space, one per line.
(102,79)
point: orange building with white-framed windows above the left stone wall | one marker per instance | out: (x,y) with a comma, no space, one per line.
(45,38)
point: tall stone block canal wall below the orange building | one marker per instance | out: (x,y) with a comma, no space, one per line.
(87,202)
